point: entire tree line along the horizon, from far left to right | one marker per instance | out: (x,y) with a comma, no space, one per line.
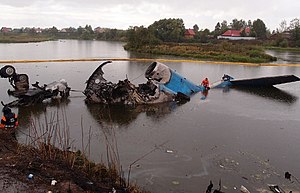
(173,30)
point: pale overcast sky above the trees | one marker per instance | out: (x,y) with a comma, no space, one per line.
(122,14)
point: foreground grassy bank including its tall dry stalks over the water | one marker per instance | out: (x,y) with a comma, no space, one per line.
(48,155)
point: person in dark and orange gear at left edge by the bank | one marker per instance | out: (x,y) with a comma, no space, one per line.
(9,119)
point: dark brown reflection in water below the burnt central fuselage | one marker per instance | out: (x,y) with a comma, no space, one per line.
(121,115)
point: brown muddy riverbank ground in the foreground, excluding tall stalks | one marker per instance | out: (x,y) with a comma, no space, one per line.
(27,169)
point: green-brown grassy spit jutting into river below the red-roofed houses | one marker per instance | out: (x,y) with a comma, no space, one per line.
(221,51)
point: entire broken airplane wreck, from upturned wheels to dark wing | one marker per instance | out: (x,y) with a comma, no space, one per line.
(163,85)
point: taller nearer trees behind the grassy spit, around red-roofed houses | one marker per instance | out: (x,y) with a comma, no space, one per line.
(172,30)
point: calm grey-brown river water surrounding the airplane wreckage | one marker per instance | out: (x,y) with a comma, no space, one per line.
(241,137)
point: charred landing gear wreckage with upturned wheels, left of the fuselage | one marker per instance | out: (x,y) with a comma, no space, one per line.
(36,94)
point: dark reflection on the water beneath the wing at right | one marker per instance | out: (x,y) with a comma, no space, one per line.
(272,93)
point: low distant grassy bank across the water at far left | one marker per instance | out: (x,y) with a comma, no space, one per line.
(23,38)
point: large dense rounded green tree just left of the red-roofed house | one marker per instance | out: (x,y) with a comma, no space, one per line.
(168,30)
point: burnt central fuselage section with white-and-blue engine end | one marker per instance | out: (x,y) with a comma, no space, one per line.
(163,85)
